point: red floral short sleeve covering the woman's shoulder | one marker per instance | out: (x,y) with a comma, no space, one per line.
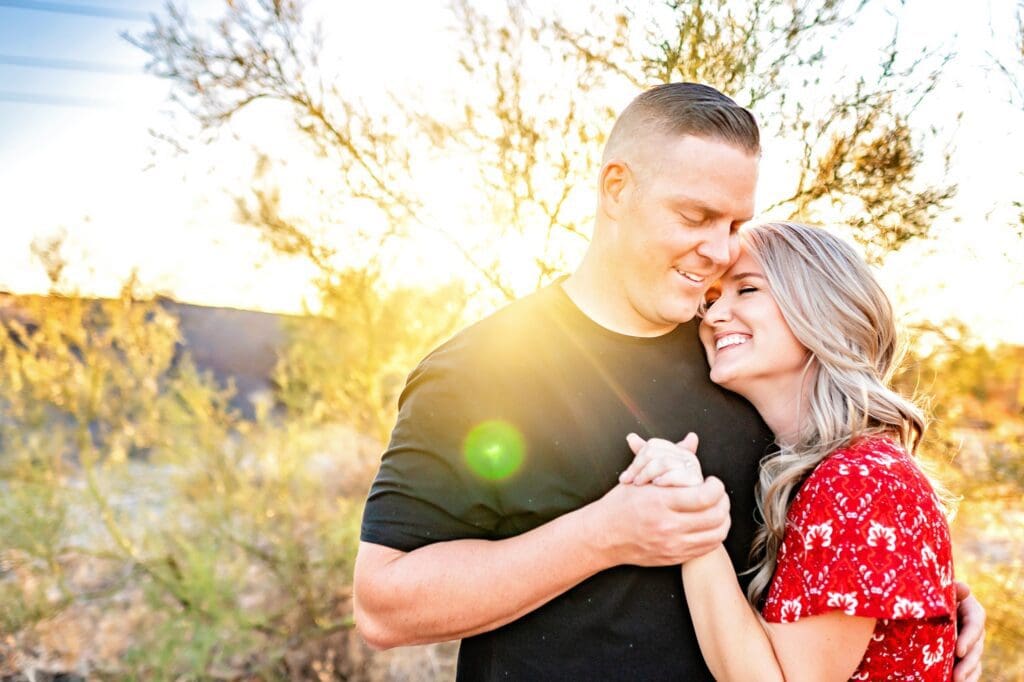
(868,530)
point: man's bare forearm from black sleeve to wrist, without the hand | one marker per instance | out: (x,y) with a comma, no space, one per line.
(462,588)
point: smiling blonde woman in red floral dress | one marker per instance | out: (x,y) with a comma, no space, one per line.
(854,577)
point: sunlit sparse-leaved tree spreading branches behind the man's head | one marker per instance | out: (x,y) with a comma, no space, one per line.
(537,144)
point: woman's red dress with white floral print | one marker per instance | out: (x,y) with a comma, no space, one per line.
(866,536)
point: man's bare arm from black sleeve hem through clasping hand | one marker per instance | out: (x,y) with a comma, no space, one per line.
(456,589)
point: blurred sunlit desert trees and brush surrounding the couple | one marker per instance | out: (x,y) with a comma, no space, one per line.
(158,523)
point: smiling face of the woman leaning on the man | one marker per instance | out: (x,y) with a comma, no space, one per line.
(750,348)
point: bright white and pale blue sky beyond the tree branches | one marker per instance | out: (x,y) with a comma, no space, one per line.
(76,109)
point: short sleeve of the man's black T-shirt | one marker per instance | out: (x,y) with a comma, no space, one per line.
(424,492)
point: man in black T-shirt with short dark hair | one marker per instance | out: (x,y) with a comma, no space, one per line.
(496,518)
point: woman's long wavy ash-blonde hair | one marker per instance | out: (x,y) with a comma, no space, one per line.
(837,311)
